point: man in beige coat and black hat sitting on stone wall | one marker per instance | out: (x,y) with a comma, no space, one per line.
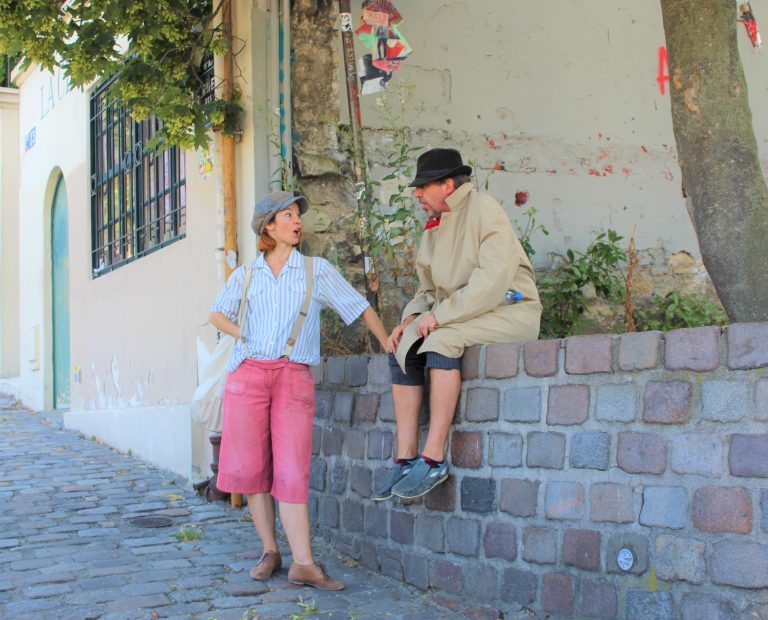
(477,286)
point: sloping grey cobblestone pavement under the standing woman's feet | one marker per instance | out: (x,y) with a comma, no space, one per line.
(68,550)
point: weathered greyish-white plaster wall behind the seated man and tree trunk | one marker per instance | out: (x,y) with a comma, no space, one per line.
(559,99)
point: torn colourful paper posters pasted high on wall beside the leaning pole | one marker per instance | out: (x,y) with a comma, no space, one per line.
(379,31)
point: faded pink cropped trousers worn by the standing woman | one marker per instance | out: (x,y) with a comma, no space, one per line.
(266,439)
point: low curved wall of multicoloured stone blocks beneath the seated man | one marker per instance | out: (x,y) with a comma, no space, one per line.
(563,453)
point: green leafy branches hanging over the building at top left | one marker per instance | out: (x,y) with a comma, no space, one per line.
(155,46)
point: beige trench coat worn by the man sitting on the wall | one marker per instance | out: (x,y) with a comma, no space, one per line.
(465,265)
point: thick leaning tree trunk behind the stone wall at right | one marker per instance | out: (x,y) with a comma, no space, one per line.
(717,150)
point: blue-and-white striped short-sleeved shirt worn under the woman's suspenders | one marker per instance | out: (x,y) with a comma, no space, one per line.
(274,304)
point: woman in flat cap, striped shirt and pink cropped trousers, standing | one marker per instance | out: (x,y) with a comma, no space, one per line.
(266,443)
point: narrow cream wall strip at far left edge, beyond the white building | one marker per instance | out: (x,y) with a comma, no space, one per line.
(9,232)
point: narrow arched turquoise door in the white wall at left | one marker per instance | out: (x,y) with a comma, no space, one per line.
(60,295)
